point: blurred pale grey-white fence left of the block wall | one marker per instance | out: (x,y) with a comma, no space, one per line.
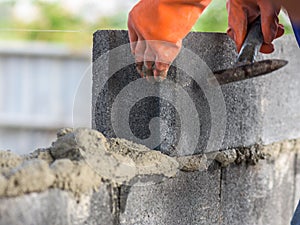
(38,84)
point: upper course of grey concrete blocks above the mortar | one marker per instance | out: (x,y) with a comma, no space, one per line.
(261,110)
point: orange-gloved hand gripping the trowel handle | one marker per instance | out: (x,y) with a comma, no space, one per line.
(241,13)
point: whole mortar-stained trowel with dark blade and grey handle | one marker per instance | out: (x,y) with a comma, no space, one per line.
(246,67)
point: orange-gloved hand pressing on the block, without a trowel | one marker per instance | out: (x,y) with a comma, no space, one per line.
(156,29)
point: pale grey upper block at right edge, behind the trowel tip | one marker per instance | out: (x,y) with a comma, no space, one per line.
(280,94)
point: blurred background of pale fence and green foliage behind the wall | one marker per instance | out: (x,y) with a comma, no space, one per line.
(45,52)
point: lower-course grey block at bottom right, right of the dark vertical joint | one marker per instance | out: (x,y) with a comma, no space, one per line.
(259,195)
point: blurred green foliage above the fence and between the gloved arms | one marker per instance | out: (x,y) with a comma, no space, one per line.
(57,24)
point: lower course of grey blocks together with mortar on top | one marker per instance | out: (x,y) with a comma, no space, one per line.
(197,189)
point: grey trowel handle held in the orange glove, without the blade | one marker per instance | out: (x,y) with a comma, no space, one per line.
(252,43)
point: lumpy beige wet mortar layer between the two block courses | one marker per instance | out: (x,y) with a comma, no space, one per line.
(81,160)
